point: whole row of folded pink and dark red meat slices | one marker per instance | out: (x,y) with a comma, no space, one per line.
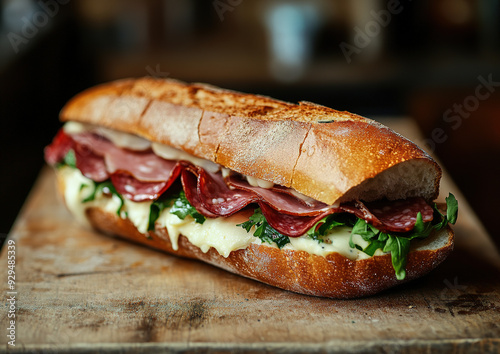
(142,175)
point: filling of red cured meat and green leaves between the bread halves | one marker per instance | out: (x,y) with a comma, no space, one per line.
(166,181)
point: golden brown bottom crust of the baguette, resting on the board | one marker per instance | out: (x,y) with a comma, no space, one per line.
(333,276)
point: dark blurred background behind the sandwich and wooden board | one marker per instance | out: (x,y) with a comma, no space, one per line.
(437,61)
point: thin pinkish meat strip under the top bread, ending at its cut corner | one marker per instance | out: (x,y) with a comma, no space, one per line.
(280,200)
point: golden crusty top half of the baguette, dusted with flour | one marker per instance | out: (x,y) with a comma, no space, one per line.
(328,155)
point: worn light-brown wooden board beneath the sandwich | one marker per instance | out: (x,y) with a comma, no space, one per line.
(79,291)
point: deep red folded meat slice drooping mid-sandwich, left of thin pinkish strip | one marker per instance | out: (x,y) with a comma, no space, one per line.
(218,198)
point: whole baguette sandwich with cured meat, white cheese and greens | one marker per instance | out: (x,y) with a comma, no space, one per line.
(297,196)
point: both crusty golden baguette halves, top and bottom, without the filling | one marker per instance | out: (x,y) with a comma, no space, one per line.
(325,155)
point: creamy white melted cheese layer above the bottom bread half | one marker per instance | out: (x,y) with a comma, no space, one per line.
(220,233)
